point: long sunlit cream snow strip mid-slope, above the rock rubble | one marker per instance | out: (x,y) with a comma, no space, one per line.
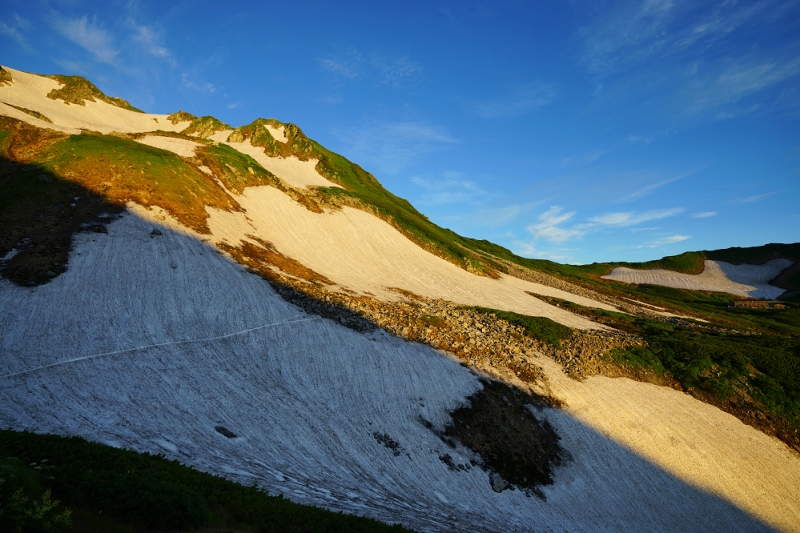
(360,251)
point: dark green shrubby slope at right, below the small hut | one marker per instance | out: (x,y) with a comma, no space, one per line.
(752,371)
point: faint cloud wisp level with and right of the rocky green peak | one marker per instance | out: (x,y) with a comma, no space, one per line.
(393,146)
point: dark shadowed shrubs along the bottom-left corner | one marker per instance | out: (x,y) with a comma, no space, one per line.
(110,489)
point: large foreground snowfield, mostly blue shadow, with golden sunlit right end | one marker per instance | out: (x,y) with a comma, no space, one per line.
(149,342)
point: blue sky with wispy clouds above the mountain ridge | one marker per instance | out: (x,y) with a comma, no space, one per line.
(572,131)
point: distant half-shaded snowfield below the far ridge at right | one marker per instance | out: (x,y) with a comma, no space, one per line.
(748,281)
